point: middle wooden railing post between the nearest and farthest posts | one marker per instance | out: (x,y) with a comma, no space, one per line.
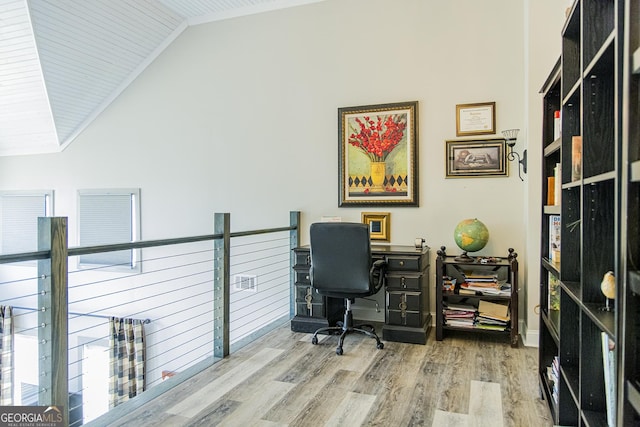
(221,288)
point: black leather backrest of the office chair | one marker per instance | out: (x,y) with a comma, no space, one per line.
(340,258)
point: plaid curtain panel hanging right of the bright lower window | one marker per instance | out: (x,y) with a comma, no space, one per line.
(126,360)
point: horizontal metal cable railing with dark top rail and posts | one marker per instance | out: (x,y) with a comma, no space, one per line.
(197,298)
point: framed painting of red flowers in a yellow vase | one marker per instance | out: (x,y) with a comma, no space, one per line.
(378,147)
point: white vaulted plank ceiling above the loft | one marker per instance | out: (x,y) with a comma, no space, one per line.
(62,62)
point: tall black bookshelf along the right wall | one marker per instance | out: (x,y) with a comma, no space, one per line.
(586,87)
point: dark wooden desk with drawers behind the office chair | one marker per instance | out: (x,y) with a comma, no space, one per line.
(407,316)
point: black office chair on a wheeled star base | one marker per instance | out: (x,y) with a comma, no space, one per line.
(341,267)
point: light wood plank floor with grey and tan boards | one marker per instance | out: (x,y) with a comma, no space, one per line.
(284,380)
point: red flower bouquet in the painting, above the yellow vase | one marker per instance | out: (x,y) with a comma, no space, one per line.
(379,135)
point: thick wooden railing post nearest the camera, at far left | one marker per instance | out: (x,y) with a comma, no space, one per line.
(53,365)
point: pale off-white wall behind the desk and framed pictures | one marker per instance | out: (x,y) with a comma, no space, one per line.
(240,116)
